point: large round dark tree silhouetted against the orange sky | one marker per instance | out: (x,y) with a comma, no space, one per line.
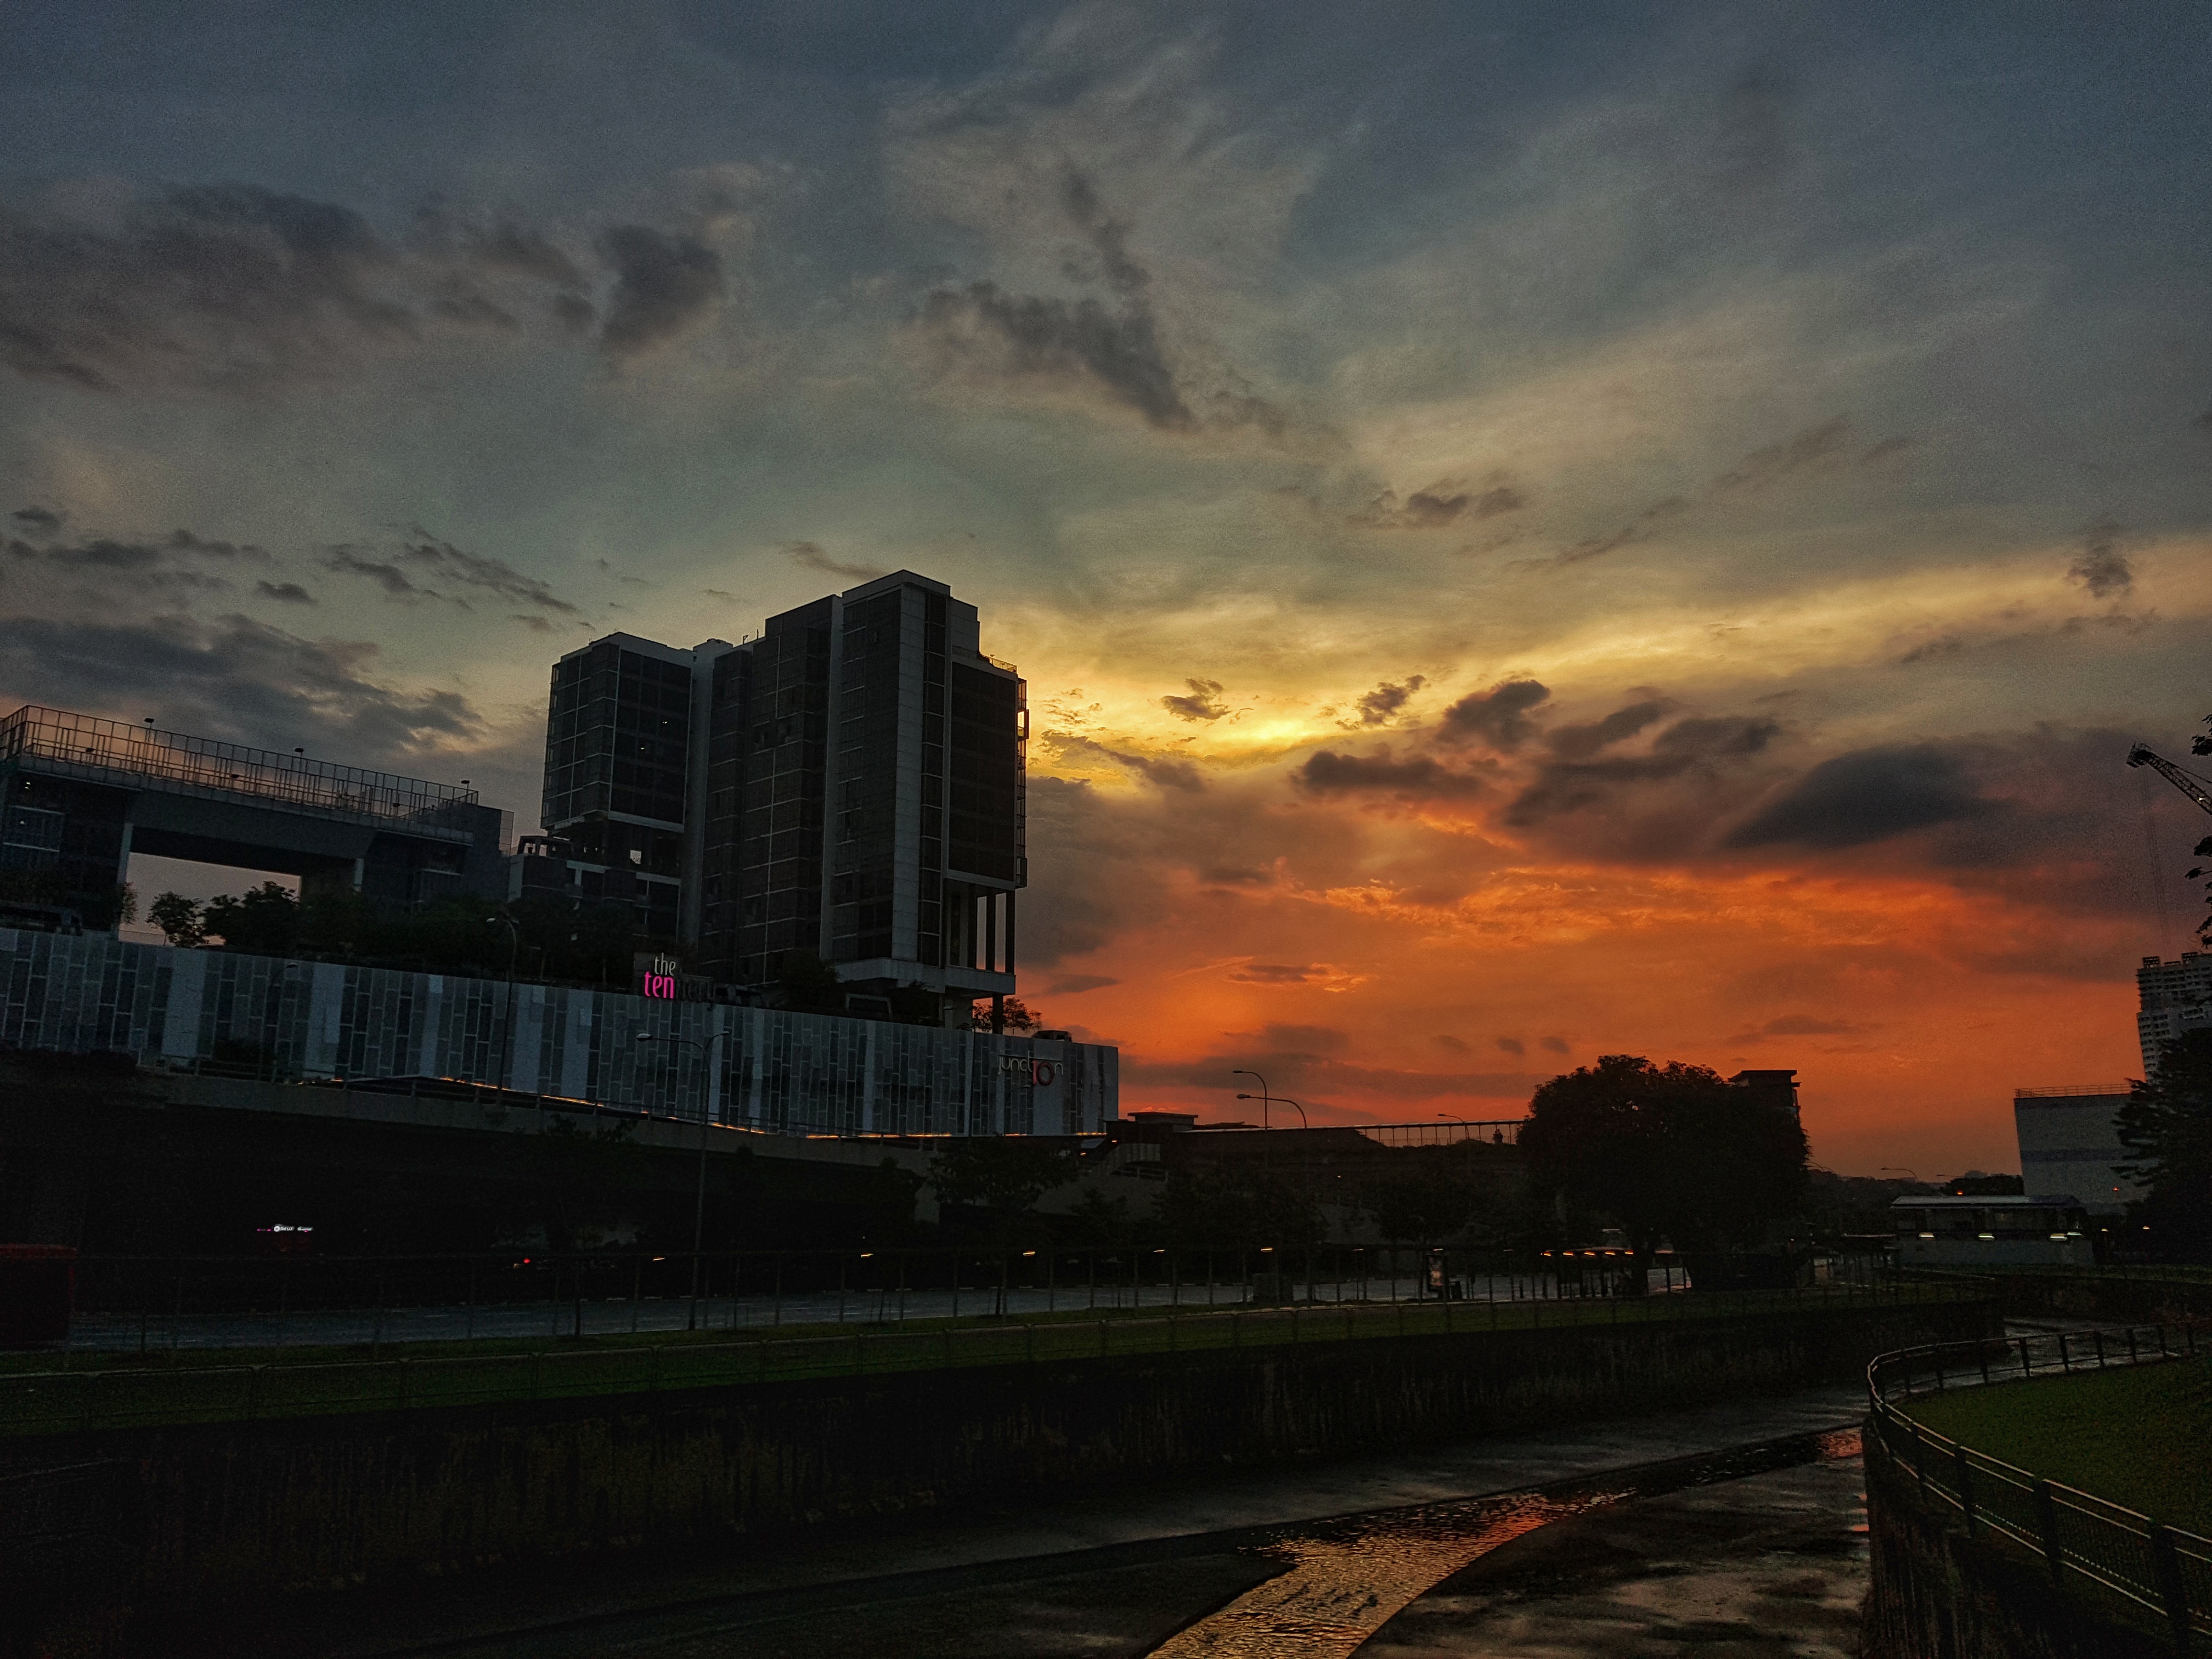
(1665,1154)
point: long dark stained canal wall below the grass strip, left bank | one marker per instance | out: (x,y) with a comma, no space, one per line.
(229,1514)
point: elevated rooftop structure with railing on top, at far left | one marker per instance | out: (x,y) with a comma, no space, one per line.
(81,795)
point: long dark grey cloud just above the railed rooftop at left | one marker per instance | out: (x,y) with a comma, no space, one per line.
(233,678)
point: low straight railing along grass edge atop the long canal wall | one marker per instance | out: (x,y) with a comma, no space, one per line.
(149,1395)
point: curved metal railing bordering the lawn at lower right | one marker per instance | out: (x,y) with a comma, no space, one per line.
(2156,1567)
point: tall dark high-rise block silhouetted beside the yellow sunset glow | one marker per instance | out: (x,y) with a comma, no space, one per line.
(851,784)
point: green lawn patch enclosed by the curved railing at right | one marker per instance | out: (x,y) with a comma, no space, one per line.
(2140,1439)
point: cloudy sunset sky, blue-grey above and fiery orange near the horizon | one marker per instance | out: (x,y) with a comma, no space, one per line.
(1532,532)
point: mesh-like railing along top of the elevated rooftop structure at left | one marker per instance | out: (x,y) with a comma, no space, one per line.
(103,751)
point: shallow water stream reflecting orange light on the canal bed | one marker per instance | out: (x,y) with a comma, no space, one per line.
(1344,1580)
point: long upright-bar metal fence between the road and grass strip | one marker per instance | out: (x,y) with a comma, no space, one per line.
(306,1300)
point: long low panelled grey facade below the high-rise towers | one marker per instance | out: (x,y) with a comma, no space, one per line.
(771,1070)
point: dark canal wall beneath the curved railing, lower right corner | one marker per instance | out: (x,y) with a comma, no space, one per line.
(1939,1592)
